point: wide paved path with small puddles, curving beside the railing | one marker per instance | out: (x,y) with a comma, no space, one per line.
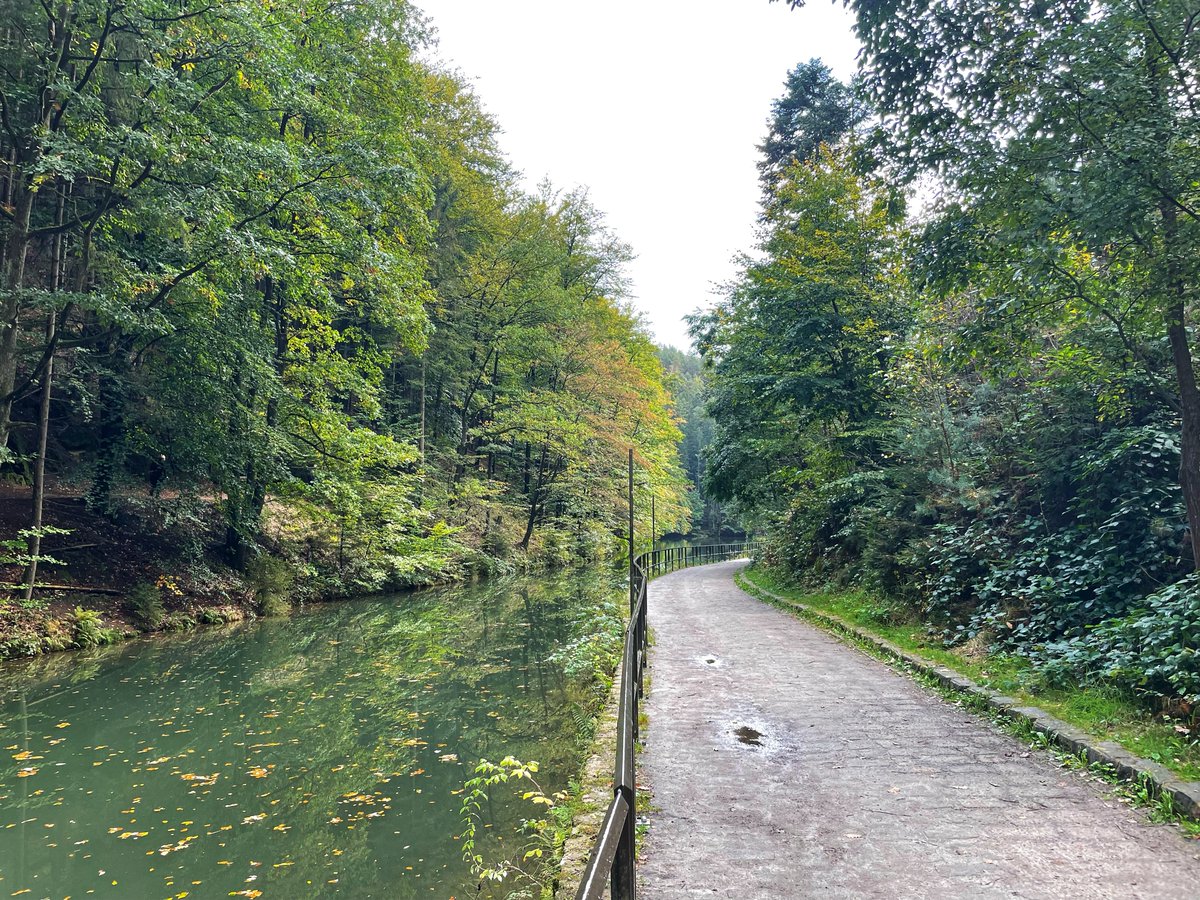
(862,784)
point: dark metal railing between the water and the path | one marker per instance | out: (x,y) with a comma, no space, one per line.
(614,853)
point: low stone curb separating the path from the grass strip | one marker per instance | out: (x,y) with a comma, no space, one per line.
(1185,795)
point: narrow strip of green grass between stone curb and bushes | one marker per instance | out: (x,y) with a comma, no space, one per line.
(1099,710)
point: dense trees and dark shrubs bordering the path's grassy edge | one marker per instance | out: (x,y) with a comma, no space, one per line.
(959,370)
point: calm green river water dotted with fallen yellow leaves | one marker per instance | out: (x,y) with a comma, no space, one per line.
(320,755)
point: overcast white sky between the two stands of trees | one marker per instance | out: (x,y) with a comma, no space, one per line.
(656,107)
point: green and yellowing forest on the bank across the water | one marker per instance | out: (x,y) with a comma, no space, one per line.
(278,317)
